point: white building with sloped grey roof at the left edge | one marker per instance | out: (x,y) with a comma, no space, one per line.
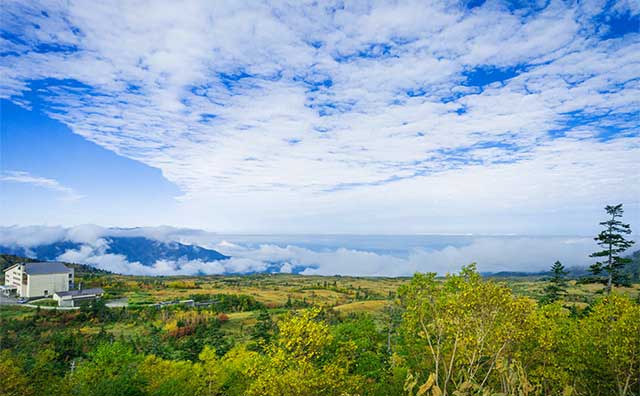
(39,279)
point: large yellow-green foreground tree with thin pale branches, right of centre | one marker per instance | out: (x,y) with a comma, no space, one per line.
(460,335)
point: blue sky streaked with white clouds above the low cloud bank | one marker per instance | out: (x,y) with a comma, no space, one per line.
(367,117)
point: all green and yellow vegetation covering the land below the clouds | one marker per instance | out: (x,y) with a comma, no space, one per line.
(460,335)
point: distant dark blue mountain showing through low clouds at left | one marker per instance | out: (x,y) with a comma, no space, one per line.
(136,249)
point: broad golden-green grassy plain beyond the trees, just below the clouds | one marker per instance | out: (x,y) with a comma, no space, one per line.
(341,292)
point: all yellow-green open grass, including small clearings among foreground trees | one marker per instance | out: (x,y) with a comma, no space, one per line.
(280,293)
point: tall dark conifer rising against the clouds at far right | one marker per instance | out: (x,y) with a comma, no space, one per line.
(613,242)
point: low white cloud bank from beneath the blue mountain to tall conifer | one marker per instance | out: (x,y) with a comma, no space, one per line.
(492,255)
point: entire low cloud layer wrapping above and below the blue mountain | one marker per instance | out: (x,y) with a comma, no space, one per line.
(335,256)
